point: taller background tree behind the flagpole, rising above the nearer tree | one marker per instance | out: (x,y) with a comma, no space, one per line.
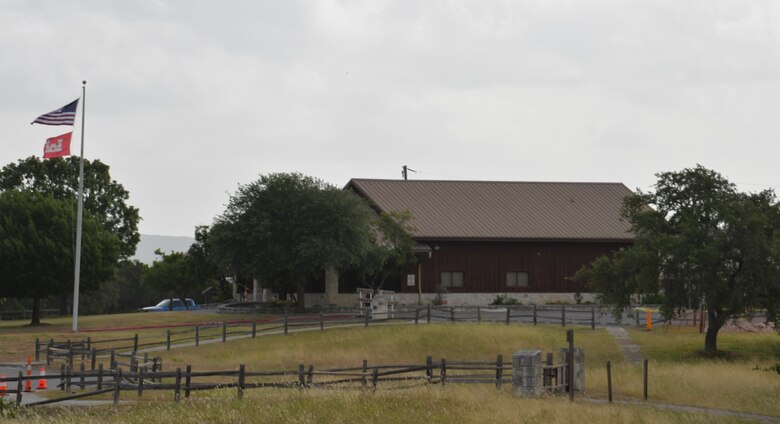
(104,198)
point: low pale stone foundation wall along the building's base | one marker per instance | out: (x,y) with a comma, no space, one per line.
(451,299)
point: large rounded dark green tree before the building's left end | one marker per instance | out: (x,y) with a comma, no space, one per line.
(286,228)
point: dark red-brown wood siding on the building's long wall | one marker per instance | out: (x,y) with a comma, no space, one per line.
(485,264)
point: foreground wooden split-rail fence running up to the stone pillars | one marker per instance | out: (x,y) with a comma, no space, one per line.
(148,376)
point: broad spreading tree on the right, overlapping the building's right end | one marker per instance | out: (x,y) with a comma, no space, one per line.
(698,240)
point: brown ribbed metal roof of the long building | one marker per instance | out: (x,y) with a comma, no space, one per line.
(488,210)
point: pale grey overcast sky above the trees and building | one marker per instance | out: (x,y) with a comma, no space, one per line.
(188,99)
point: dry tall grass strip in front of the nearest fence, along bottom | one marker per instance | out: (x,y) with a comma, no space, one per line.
(451,404)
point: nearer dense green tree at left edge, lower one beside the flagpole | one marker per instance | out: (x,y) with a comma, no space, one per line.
(36,248)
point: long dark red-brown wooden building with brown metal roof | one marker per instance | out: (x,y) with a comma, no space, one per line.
(478,238)
